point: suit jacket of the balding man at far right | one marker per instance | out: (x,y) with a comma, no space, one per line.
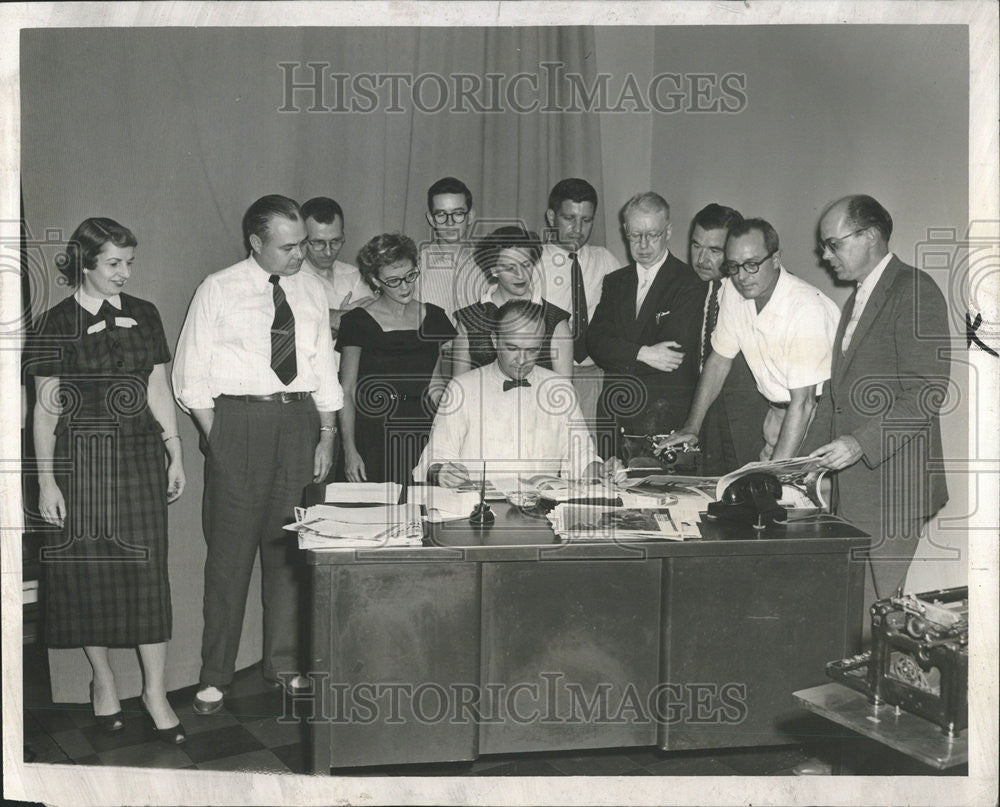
(887,391)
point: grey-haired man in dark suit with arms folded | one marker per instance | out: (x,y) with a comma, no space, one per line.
(645,334)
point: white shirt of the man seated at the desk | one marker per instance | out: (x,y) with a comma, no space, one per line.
(536,429)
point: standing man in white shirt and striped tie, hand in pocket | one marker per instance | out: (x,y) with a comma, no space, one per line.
(255,368)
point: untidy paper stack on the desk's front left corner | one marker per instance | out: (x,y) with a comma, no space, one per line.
(325,526)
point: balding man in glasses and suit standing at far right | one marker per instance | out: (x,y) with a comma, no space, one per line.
(879,427)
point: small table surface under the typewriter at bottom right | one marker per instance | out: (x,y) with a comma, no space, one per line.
(896,728)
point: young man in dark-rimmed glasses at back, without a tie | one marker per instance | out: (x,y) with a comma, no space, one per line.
(449,277)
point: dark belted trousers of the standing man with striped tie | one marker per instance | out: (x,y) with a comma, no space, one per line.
(260,457)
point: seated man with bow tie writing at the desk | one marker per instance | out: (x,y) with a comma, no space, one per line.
(515,416)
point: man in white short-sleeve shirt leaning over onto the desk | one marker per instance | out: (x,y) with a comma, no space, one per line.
(785,329)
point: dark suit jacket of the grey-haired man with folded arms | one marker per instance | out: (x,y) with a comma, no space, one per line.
(635,395)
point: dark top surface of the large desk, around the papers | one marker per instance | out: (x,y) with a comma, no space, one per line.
(517,534)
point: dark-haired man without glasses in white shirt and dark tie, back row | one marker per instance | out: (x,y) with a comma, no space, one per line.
(572,274)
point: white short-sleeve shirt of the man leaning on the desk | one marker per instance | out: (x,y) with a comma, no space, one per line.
(789,344)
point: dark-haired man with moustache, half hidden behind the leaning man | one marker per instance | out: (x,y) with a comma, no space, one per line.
(731,435)
